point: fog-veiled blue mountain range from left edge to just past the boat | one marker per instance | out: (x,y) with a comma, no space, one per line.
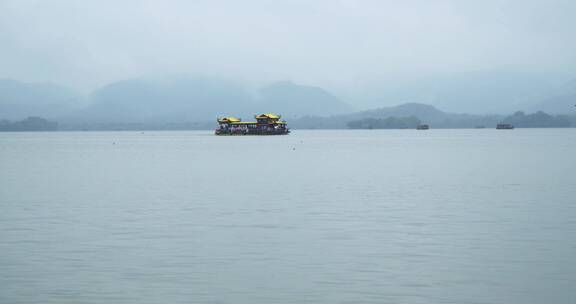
(171,99)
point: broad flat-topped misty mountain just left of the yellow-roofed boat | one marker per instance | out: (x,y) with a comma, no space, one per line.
(174,99)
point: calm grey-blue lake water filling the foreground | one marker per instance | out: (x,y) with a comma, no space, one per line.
(438,216)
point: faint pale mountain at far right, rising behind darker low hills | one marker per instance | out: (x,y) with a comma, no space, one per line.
(478,92)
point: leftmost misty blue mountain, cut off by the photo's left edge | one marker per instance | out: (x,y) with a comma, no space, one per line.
(19,100)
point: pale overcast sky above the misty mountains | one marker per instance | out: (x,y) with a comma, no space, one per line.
(320,42)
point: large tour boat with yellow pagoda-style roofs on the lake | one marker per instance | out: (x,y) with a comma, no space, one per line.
(265,124)
